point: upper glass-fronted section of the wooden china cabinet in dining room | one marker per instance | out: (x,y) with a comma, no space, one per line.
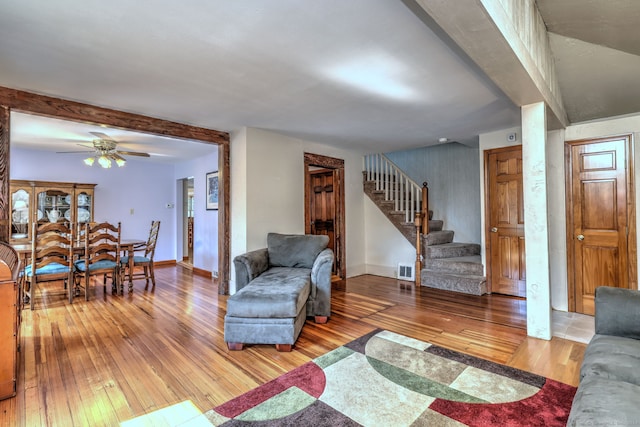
(46,201)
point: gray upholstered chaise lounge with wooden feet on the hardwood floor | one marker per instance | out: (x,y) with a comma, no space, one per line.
(277,288)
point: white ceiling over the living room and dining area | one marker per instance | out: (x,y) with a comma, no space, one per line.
(365,74)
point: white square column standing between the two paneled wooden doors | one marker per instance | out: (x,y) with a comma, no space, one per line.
(536,225)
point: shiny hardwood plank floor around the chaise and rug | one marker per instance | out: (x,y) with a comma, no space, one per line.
(117,357)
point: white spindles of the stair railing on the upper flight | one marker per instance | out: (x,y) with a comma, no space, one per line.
(396,185)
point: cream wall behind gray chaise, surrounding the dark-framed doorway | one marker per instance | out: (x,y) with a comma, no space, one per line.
(267,192)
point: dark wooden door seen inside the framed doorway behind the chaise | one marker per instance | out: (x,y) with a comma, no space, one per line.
(323,205)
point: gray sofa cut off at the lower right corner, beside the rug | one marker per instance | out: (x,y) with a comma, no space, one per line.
(609,390)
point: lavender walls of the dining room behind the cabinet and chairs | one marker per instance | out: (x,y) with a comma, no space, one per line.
(142,186)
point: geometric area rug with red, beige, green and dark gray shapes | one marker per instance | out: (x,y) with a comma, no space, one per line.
(386,379)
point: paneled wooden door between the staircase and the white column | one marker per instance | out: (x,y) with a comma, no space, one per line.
(505,212)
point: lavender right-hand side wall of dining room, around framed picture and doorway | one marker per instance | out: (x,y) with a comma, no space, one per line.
(205,222)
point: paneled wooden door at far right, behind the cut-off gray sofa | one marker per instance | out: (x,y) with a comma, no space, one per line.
(601,218)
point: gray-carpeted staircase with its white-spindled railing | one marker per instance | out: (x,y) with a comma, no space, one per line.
(446,264)
